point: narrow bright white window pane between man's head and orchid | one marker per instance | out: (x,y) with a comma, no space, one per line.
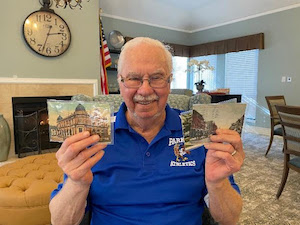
(179,72)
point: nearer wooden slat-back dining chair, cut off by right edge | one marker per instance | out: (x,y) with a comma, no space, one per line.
(290,121)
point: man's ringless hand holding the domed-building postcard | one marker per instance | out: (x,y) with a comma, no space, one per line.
(76,158)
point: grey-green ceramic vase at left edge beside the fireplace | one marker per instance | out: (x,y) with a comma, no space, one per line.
(4,139)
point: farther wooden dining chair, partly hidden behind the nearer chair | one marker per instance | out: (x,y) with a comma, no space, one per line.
(276,128)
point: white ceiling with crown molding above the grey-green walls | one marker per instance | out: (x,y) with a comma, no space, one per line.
(191,15)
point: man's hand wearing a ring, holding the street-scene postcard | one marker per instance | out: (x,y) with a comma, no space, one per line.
(225,156)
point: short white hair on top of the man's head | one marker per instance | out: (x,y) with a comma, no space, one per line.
(138,40)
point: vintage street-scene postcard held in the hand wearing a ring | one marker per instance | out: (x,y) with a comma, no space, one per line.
(201,122)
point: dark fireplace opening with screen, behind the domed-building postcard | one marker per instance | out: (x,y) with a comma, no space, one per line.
(31,128)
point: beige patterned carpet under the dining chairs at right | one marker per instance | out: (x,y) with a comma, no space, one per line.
(259,180)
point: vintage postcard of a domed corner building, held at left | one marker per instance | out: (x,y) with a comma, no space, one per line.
(67,118)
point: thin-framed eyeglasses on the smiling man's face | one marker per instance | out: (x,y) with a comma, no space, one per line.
(156,81)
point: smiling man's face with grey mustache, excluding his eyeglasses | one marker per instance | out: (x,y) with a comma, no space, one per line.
(144,61)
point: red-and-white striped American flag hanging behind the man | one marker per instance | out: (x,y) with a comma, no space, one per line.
(105,60)
